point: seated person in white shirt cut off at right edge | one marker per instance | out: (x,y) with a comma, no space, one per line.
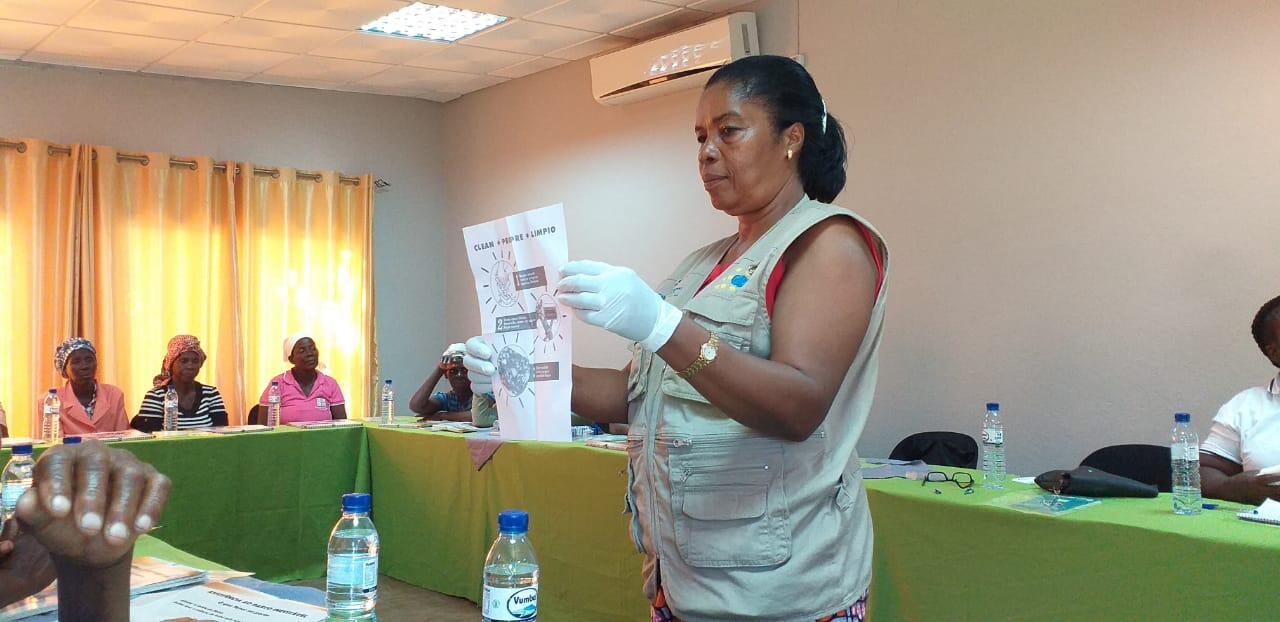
(1246,433)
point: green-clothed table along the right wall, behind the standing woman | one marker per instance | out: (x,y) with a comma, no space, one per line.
(944,556)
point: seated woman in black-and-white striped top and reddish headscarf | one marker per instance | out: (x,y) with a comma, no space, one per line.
(199,405)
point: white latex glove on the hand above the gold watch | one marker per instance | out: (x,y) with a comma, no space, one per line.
(619,301)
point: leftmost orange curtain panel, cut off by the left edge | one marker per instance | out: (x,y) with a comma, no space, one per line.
(40,198)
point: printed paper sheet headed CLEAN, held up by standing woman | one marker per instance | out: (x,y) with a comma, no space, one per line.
(516,264)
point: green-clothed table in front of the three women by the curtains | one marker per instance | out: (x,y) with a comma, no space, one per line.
(260,502)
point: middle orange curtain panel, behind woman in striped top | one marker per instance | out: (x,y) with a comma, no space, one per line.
(162,262)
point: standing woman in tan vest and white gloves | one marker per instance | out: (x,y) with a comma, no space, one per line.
(753,369)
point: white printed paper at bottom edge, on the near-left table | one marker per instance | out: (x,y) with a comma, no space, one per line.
(222,603)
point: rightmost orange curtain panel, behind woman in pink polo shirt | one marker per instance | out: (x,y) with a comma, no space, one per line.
(307,248)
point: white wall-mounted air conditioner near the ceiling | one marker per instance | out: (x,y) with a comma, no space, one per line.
(675,62)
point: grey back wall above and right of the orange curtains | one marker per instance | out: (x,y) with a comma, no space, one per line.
(396,139)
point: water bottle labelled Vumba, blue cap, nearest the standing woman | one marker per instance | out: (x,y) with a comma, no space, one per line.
(511,573)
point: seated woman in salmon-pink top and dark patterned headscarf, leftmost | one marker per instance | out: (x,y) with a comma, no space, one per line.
(89,406)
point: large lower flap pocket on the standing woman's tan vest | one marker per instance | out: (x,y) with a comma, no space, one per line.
(729,505)
